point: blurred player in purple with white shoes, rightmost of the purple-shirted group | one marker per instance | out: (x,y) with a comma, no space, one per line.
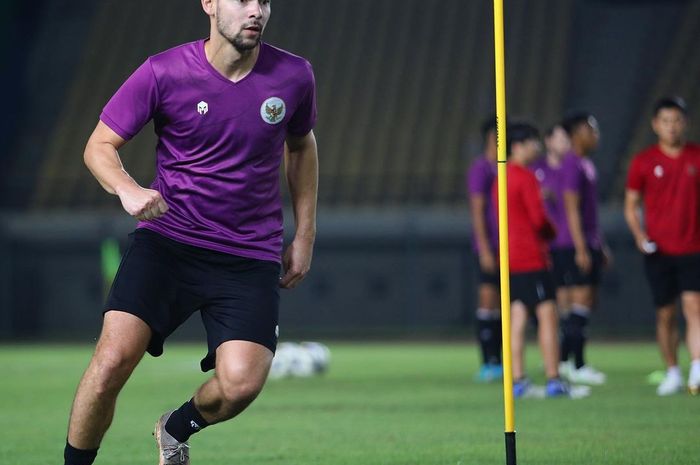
(578,252)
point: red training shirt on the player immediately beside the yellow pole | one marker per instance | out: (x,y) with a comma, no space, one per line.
(529,228)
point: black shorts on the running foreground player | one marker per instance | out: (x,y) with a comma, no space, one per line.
(163,282)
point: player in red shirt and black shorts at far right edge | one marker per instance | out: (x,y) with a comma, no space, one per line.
(664,179)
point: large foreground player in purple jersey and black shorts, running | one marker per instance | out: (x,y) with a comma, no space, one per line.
(227,110)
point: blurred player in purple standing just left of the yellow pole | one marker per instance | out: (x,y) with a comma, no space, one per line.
(480,180)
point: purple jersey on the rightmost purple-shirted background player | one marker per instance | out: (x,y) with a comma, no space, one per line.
(578,174)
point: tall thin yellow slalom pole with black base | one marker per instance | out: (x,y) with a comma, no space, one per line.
(503,230)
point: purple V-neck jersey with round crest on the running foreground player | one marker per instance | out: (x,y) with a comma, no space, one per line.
(220,143)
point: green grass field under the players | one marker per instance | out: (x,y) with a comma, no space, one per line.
(383,404)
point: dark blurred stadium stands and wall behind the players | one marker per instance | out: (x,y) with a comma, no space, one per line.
(402,90)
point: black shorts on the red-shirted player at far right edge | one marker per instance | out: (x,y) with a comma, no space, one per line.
(669,275)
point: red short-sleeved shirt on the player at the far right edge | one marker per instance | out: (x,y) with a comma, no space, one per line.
(670,189)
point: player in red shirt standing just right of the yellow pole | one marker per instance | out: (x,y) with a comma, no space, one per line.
(531,284)
